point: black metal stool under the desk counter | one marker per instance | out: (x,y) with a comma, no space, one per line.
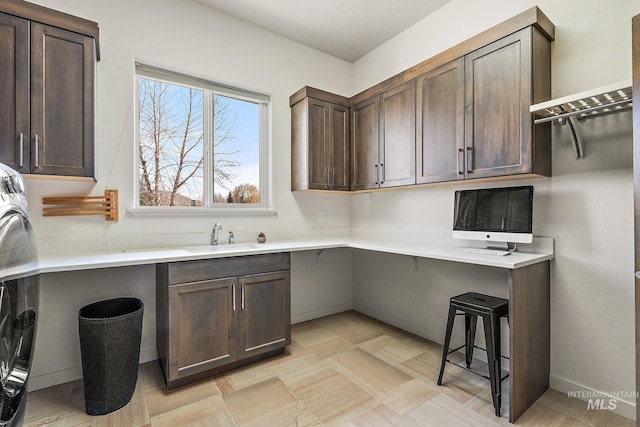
(491,309)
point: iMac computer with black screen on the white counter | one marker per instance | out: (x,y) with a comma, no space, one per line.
(498,216)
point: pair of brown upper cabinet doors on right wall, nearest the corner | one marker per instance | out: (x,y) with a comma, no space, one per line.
(383,147)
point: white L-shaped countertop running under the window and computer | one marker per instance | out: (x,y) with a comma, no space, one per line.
(50,263)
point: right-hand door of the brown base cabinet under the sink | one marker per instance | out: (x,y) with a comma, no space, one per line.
(265,313)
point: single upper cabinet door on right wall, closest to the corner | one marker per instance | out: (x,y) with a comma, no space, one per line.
(364,145)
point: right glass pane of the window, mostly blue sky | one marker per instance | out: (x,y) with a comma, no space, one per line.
(236,150)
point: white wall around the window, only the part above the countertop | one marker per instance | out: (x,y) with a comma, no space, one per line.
(189,37)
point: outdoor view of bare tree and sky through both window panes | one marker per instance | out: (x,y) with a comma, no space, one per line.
(172,144)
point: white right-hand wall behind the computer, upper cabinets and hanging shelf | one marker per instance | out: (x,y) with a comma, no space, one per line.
(587,206)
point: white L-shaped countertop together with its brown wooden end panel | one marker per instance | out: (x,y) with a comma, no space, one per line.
(528,281)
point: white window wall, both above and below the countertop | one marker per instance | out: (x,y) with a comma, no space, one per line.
(187,36)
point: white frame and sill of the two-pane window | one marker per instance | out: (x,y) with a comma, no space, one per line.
(264,101)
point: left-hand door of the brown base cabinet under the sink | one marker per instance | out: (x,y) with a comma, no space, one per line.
(202,326)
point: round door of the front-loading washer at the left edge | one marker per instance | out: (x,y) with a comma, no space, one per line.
(18,312)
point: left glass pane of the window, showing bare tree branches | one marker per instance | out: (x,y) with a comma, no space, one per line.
(171,147)
